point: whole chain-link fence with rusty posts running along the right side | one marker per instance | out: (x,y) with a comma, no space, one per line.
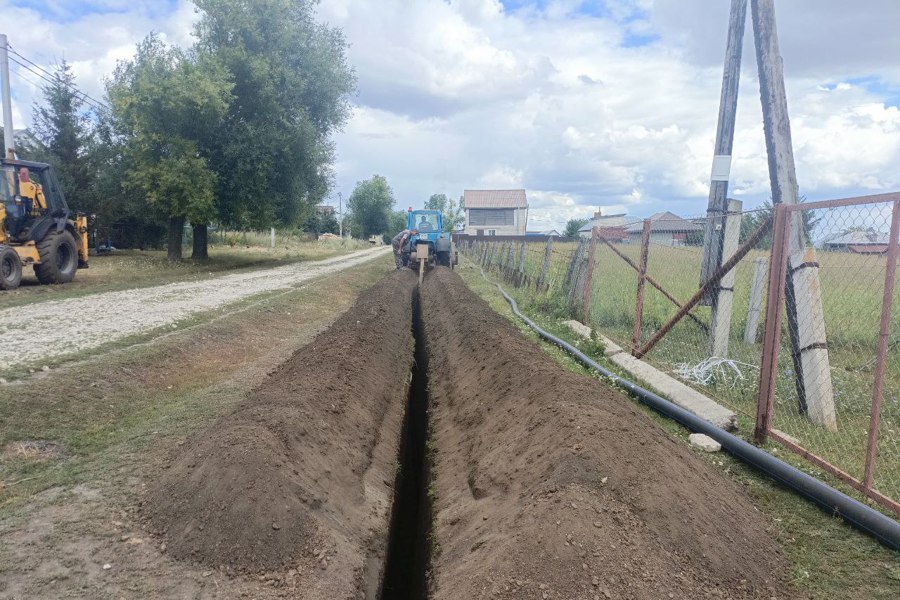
(835,392)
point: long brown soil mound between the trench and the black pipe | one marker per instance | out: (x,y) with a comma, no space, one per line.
(553,485)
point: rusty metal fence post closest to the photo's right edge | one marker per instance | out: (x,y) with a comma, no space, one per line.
(883,339)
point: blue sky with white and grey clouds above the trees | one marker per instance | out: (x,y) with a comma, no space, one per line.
(608,103)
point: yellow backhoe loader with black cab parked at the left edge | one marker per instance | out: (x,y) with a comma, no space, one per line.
(36,227)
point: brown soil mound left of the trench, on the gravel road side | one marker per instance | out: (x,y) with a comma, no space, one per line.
(299,476)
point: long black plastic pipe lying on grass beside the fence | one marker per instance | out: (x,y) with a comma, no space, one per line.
(864,518)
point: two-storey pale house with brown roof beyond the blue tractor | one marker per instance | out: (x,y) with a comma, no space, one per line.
(495,212)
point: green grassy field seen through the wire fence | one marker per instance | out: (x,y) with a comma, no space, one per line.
(852,289)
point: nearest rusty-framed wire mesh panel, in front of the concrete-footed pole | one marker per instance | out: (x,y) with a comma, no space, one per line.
(824,402)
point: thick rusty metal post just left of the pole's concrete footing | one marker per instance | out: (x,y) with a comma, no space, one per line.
(768,371)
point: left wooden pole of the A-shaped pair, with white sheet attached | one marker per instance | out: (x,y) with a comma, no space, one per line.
(714,233)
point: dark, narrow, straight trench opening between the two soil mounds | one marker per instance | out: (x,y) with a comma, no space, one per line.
(409,546)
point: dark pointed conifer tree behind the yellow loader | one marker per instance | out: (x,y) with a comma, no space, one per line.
(62,128)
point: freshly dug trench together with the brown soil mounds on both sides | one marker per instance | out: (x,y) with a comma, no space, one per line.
(549,485)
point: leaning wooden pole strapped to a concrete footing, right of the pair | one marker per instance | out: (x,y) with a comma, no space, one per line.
(806,319)
